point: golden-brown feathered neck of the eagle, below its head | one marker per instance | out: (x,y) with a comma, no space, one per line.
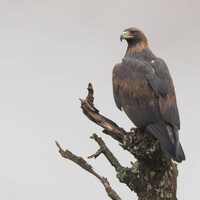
(134,49)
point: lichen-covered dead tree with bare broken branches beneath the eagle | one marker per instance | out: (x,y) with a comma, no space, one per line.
(153,176)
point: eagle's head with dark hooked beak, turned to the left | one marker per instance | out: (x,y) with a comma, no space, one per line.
(133,36)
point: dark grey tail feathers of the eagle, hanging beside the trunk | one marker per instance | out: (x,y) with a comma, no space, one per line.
(173,149)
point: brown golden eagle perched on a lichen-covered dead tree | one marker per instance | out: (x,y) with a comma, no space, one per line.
(144,90)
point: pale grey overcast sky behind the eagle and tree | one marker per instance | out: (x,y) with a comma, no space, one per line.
(49,51)
